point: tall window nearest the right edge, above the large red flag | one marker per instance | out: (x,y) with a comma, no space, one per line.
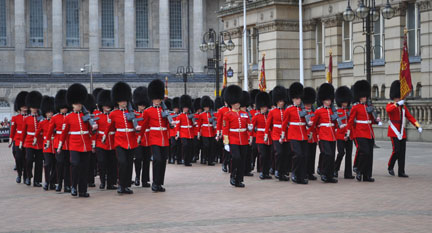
(413,26)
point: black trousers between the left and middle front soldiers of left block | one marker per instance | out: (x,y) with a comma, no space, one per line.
(107,165)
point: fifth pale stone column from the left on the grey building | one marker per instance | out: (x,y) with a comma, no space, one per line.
(164,36)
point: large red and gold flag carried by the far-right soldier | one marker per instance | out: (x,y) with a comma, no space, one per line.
(405,73)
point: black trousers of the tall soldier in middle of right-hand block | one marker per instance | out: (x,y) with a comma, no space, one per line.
(299,158)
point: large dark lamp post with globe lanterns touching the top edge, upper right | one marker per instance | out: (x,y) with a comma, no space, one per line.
(368,13)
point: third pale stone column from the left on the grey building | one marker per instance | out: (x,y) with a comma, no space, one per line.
(94,38)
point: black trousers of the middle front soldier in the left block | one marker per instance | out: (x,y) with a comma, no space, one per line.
(125,165)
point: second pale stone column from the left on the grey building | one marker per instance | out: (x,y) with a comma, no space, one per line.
(57,37)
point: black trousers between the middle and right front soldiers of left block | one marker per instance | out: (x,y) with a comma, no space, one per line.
(142,160)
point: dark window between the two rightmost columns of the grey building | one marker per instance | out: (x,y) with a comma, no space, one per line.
(176,40)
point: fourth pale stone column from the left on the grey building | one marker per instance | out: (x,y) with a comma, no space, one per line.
(129,37)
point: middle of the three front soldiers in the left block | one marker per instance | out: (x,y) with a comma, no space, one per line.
(125,140)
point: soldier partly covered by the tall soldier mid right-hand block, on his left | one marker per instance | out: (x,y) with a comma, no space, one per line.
(273,131)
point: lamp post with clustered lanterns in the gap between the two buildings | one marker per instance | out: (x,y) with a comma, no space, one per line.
(215,41)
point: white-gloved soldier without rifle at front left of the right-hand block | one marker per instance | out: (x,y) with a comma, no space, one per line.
(235,134)
